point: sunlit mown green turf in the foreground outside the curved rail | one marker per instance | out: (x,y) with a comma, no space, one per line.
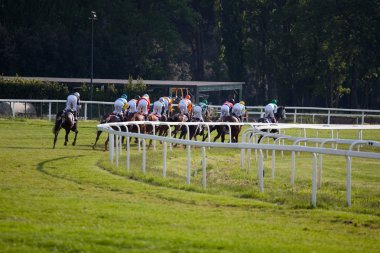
(67,200)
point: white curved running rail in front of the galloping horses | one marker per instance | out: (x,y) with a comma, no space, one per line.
(248,144)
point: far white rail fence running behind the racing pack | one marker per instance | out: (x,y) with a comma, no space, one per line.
(48,108)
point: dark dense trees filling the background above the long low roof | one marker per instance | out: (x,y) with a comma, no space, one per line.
(304,52)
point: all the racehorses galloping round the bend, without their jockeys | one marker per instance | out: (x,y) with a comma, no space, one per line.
(66,121)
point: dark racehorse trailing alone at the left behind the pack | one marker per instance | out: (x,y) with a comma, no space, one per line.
(66,121)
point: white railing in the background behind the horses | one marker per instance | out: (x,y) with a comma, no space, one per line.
(298,114)
